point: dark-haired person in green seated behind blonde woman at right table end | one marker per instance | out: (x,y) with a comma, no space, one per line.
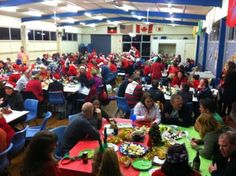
(208,108)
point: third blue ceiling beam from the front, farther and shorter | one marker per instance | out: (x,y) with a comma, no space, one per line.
(128,19)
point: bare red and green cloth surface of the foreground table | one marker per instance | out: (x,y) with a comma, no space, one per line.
(78,168)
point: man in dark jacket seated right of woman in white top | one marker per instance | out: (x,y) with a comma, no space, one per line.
(176,112)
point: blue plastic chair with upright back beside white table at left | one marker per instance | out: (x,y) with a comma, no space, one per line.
(31,105)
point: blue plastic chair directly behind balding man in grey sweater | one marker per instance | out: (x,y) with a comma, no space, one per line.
(59,131)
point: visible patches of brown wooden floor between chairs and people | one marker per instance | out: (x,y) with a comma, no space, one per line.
(16,162)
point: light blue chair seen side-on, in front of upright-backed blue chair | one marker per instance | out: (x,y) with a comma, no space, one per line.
(31,131)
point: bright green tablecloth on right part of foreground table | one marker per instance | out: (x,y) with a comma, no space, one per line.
(192,153)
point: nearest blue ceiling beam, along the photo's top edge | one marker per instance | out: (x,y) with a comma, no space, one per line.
(213,3)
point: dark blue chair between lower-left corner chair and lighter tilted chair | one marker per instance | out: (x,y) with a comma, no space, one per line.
(18,142)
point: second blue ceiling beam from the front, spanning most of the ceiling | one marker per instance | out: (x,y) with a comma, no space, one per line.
(117,12)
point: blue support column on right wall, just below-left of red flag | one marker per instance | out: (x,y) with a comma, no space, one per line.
(221,49)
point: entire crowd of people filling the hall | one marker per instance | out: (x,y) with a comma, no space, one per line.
(213,117)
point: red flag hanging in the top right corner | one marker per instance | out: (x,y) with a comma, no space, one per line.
(231,17)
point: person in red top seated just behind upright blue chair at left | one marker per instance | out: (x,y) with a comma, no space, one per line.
(35,87)
